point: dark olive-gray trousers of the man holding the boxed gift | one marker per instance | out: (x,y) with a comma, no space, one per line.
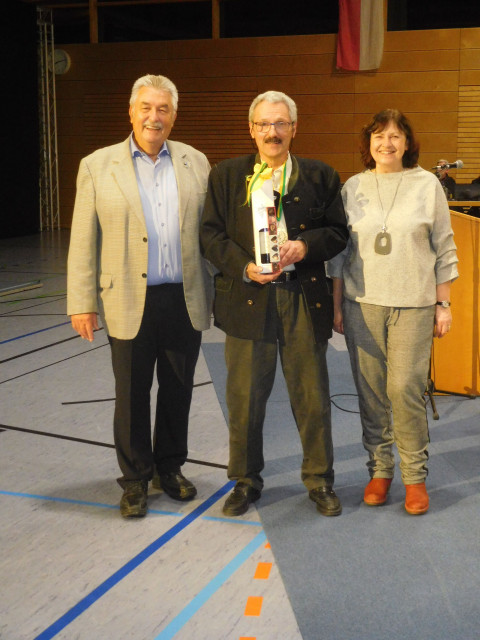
(251,368)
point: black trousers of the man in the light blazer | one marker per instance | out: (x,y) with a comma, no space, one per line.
(166,339)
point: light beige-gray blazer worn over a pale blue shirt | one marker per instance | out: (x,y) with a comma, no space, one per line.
(108,254)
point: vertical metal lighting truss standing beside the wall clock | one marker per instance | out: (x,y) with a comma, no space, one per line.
(48,164)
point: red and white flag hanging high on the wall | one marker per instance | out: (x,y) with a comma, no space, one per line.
(360,35)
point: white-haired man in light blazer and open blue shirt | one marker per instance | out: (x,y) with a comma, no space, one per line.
(134,258)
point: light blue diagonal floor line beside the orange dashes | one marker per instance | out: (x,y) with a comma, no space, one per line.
(207,592)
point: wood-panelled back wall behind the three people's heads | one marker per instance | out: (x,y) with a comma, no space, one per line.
(423,73)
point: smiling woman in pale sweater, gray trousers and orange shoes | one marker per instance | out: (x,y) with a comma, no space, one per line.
(391,295)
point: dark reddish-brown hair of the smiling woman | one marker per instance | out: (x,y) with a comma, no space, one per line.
(378,123)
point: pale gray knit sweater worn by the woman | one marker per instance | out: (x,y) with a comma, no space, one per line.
(423,251)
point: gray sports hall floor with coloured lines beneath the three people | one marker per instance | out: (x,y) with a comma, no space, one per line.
(70,567)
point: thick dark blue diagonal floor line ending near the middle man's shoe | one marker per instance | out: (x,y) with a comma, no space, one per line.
(115,578)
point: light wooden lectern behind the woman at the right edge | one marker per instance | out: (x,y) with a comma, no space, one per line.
(456,357)
